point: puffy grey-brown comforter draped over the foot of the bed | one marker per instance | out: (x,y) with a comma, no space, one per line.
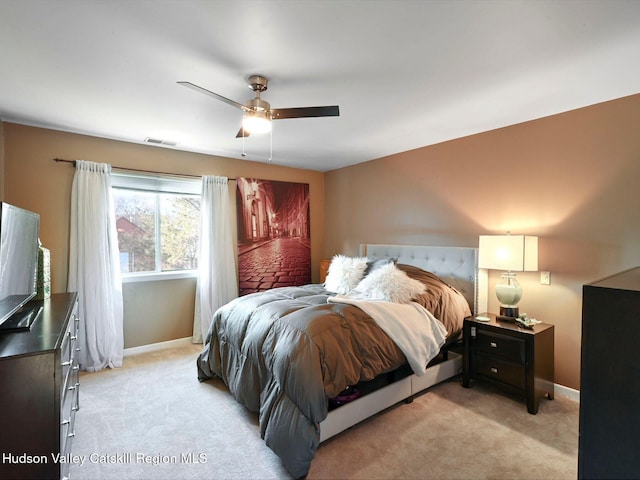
(284,352)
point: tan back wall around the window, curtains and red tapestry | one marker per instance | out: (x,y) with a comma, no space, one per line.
(154,311)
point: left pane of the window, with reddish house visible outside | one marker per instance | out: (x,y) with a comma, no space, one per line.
(136,225)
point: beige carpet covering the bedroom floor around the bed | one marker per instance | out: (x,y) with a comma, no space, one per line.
(152,419)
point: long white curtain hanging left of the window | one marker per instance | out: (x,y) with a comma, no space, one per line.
(94,267)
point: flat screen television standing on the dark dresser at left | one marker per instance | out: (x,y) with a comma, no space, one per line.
(19,231)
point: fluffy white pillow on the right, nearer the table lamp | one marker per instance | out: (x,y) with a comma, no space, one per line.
(390,284)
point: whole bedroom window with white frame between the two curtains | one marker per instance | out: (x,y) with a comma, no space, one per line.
(158,224)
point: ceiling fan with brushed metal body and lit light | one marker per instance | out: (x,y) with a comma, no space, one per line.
(258,113)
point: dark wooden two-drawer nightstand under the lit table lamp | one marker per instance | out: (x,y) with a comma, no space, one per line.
(516,359)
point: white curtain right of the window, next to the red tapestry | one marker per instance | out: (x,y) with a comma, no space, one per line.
(217,278)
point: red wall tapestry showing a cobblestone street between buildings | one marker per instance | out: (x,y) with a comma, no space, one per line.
(274,247)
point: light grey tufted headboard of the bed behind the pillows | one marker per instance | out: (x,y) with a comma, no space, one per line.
(458,266)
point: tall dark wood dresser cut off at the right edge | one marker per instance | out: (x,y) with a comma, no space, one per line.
(610,378)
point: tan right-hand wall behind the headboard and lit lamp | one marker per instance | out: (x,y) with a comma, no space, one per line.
(571,179)
